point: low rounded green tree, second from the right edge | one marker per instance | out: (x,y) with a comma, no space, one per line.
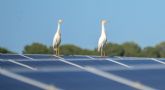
(150,52)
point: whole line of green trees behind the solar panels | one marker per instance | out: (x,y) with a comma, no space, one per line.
(112,49)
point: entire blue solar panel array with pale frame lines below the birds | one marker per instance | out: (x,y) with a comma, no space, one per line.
(49,72)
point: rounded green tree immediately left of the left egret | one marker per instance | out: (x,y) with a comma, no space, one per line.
(36,48)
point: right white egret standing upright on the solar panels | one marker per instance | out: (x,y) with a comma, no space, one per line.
(103,38)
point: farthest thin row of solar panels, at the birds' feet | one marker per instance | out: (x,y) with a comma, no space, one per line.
(49,56)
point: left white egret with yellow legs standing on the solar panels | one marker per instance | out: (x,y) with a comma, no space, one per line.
(57,39)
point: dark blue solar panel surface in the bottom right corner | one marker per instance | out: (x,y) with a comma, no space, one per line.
(153,78)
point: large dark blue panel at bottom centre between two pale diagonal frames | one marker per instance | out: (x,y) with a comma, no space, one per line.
(77,81)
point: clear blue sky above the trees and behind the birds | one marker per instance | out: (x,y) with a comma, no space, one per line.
(25,21)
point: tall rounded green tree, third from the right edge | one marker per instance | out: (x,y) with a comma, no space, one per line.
(131,49)
